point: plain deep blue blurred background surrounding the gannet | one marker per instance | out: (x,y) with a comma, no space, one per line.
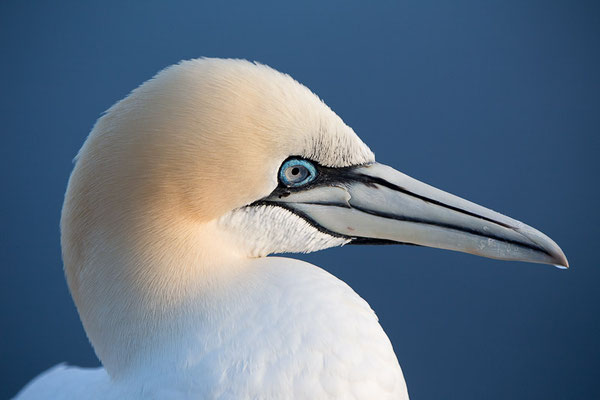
(497,102)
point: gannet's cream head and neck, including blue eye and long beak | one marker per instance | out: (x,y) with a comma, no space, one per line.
(213,159)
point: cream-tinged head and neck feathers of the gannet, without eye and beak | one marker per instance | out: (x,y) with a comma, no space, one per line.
(162,166)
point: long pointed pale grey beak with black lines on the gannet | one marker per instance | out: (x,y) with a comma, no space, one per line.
(375,203)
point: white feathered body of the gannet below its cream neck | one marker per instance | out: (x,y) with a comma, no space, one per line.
(308,336)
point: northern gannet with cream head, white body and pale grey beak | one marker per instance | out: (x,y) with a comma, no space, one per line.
(179,193)
